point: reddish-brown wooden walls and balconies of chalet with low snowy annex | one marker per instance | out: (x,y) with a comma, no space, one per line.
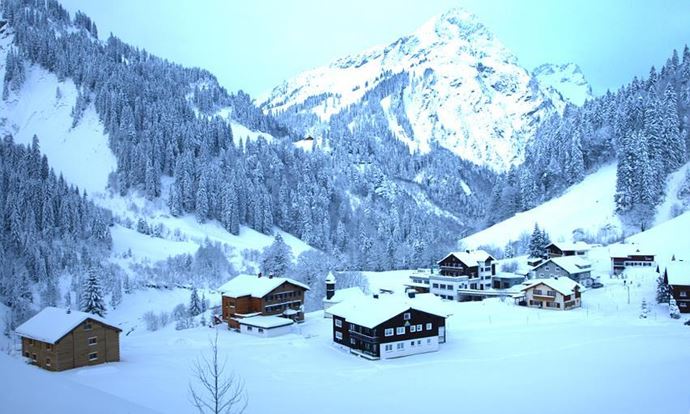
(284,297)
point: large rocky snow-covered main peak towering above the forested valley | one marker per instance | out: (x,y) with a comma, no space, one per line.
(451,83)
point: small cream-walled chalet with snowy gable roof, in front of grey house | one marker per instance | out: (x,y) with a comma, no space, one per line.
(560,293)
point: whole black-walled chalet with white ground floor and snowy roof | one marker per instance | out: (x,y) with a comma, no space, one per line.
(388,326)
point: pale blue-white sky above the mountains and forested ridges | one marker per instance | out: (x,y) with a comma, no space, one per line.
(254,45)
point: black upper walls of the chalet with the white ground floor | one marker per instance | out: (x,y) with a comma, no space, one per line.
(368,341)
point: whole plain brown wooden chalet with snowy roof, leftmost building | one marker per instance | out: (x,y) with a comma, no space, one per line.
(58,339)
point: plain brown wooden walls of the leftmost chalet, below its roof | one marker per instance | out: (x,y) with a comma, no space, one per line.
(90,343)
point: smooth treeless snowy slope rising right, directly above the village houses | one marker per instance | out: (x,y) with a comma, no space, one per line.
(588,205)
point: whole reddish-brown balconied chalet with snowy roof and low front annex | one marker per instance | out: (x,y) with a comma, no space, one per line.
(250,296)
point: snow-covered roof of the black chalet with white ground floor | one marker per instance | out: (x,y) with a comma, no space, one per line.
(370,312)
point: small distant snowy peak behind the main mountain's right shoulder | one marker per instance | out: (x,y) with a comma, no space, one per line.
(566,80)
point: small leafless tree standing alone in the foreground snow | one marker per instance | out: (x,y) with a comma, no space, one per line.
(219,391)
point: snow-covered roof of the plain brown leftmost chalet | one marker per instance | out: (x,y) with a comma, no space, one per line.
(51,324)
